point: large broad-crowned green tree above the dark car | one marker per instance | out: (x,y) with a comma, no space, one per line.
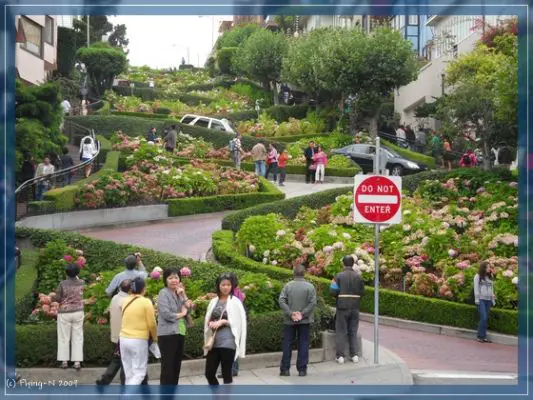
(352,65)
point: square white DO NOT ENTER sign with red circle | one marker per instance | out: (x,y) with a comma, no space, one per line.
(377,199)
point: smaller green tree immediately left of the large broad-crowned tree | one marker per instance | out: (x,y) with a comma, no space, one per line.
(260,57)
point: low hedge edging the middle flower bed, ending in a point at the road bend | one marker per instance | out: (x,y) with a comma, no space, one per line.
(197,205)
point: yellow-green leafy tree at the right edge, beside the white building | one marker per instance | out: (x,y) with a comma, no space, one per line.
(485,94)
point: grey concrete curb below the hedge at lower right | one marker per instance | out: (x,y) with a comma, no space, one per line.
(463,333)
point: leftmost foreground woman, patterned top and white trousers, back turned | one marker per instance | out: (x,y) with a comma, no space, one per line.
(70,317)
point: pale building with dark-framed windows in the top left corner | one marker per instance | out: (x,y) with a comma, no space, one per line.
(36,47)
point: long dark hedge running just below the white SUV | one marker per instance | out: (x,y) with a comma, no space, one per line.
(139,126)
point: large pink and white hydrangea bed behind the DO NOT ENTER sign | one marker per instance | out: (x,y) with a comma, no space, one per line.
(448,228)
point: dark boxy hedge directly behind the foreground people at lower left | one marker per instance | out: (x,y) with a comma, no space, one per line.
(36,345)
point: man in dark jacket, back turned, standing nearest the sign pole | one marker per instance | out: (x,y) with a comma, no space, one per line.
(347,287)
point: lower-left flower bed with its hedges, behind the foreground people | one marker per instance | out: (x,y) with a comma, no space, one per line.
(37,347)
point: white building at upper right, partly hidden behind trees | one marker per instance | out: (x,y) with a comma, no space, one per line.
(452,36)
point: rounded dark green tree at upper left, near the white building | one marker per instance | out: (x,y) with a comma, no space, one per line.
(103,63)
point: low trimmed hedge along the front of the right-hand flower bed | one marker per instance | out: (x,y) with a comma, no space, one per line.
(391,303)
